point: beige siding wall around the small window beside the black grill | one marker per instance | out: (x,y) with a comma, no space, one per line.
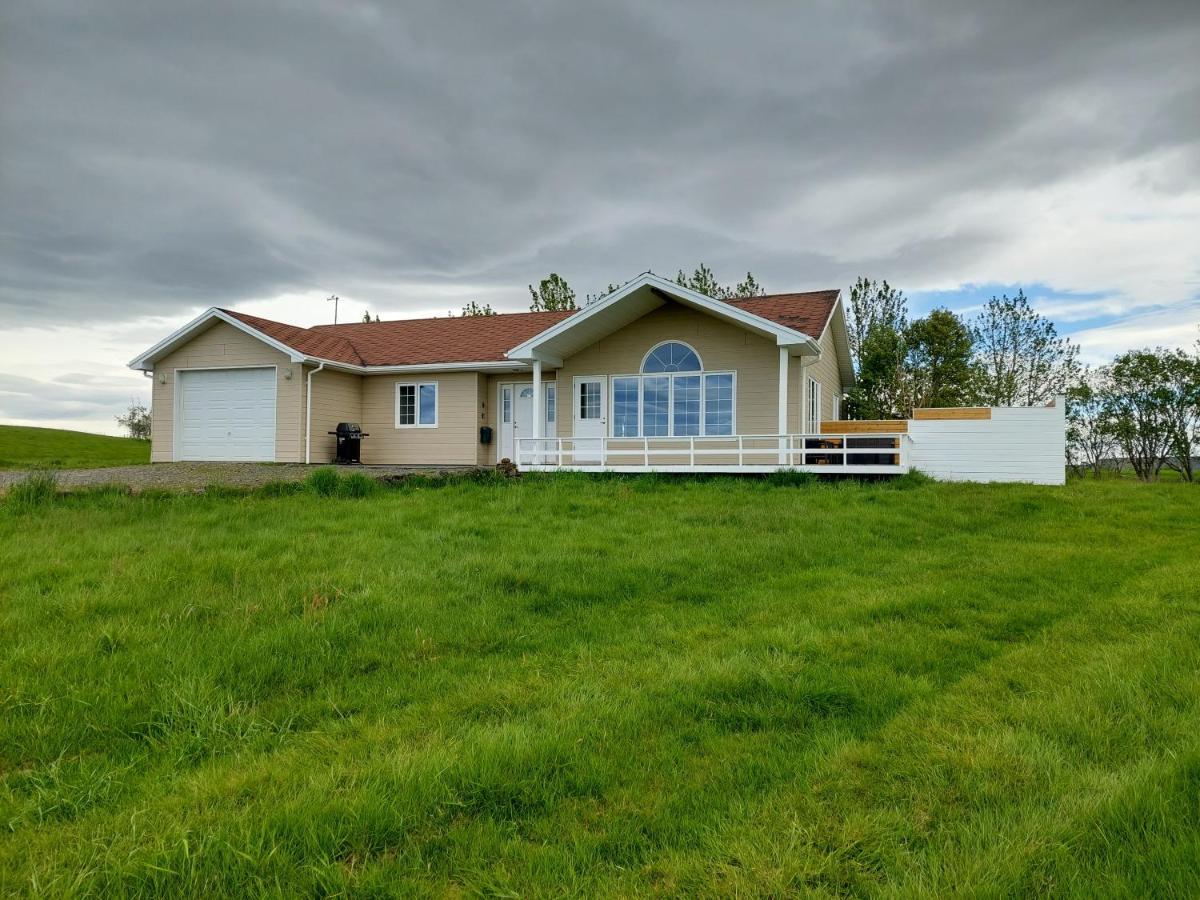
(455,440)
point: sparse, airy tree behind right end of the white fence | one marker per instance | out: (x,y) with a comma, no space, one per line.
(1021,357)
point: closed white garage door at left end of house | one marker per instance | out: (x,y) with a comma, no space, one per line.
(227,415)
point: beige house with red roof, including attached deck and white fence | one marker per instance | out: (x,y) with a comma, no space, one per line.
(652,377)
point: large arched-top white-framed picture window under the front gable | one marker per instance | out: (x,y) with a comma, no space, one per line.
(673,397)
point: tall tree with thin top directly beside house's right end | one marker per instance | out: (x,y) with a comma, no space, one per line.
(879,322)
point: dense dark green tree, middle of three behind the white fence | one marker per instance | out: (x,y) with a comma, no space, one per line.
(939,370)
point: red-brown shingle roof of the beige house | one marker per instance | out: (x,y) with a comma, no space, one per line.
(485,339)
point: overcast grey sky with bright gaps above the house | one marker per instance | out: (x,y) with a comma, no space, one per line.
(160,159)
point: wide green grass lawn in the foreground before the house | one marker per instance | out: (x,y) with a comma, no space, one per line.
(605,687)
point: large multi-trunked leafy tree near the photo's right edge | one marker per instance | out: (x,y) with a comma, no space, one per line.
(1141,404)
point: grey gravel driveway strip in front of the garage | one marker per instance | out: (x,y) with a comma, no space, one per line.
(193,476)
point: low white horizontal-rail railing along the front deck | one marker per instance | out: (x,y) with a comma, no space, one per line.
(848,453)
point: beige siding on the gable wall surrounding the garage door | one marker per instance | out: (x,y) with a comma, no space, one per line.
(221,346)
